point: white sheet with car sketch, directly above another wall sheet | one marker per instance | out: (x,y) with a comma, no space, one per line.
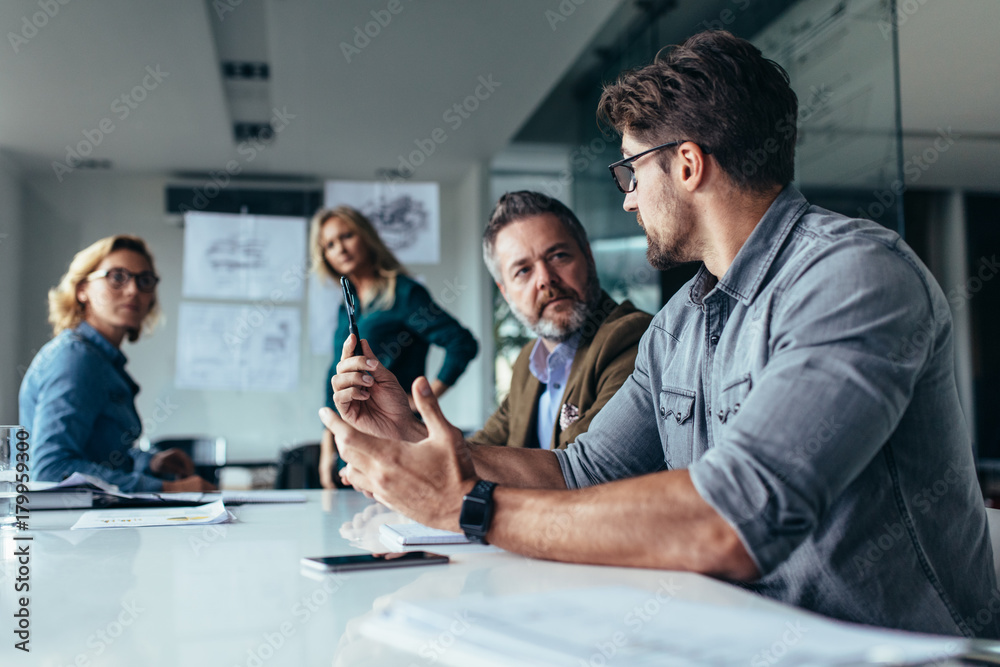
(251,257)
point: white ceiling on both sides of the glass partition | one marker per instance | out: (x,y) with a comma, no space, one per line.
(352,119)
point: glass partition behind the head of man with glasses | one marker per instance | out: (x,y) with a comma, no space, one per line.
(841,57)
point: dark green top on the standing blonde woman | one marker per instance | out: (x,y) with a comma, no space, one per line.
(401,336)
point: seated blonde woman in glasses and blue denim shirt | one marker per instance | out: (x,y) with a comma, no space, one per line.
(76,399)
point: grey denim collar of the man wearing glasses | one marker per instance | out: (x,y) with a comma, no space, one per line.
(746,274)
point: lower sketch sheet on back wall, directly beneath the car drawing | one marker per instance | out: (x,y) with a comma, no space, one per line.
(248,348)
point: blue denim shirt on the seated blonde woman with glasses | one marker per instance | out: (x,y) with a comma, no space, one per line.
(78,404)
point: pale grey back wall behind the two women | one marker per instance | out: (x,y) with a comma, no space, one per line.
(58,219)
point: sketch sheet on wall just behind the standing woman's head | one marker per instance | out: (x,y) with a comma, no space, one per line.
(406,215)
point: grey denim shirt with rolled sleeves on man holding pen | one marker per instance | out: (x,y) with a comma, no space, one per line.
(811,395)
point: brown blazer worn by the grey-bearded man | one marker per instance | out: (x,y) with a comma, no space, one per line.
(604,359)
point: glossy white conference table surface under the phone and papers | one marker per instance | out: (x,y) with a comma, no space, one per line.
(235,594)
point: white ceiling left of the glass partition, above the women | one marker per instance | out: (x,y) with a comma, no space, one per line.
(350,119)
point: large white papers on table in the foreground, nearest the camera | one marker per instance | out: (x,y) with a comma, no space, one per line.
(629,626)
